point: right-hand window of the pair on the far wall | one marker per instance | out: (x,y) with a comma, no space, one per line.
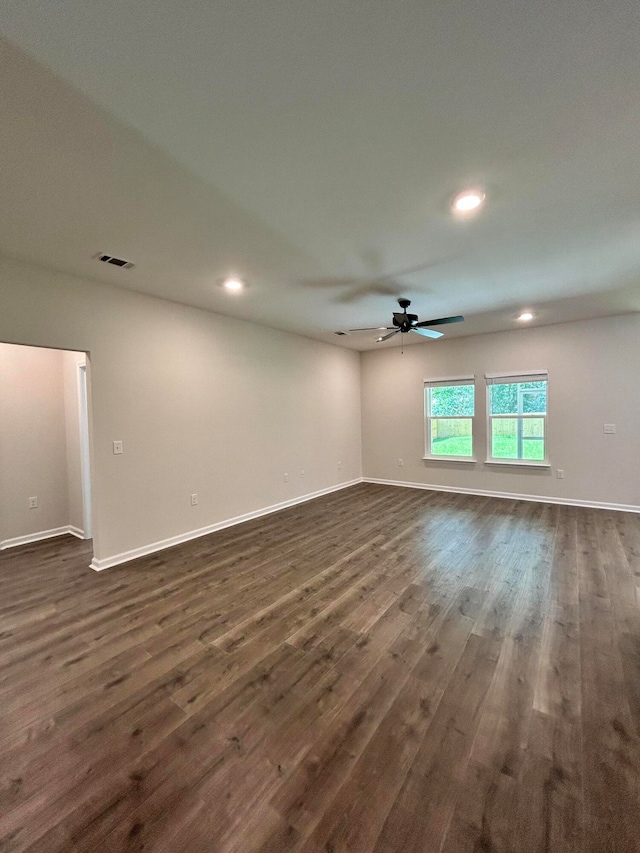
(517,409)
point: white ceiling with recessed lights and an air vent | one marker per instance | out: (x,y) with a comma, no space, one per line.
(313,147)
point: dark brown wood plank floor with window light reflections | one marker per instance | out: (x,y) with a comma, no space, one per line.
(385,670)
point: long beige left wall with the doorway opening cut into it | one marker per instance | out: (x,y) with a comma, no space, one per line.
(203,404)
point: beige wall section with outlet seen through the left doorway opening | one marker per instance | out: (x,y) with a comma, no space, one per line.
(33,450)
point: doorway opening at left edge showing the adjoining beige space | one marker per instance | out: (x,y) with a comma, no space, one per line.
(45,444)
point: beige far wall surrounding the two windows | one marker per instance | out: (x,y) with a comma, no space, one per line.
(594,378)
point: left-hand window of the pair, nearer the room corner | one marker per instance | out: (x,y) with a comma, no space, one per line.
(449,409)
